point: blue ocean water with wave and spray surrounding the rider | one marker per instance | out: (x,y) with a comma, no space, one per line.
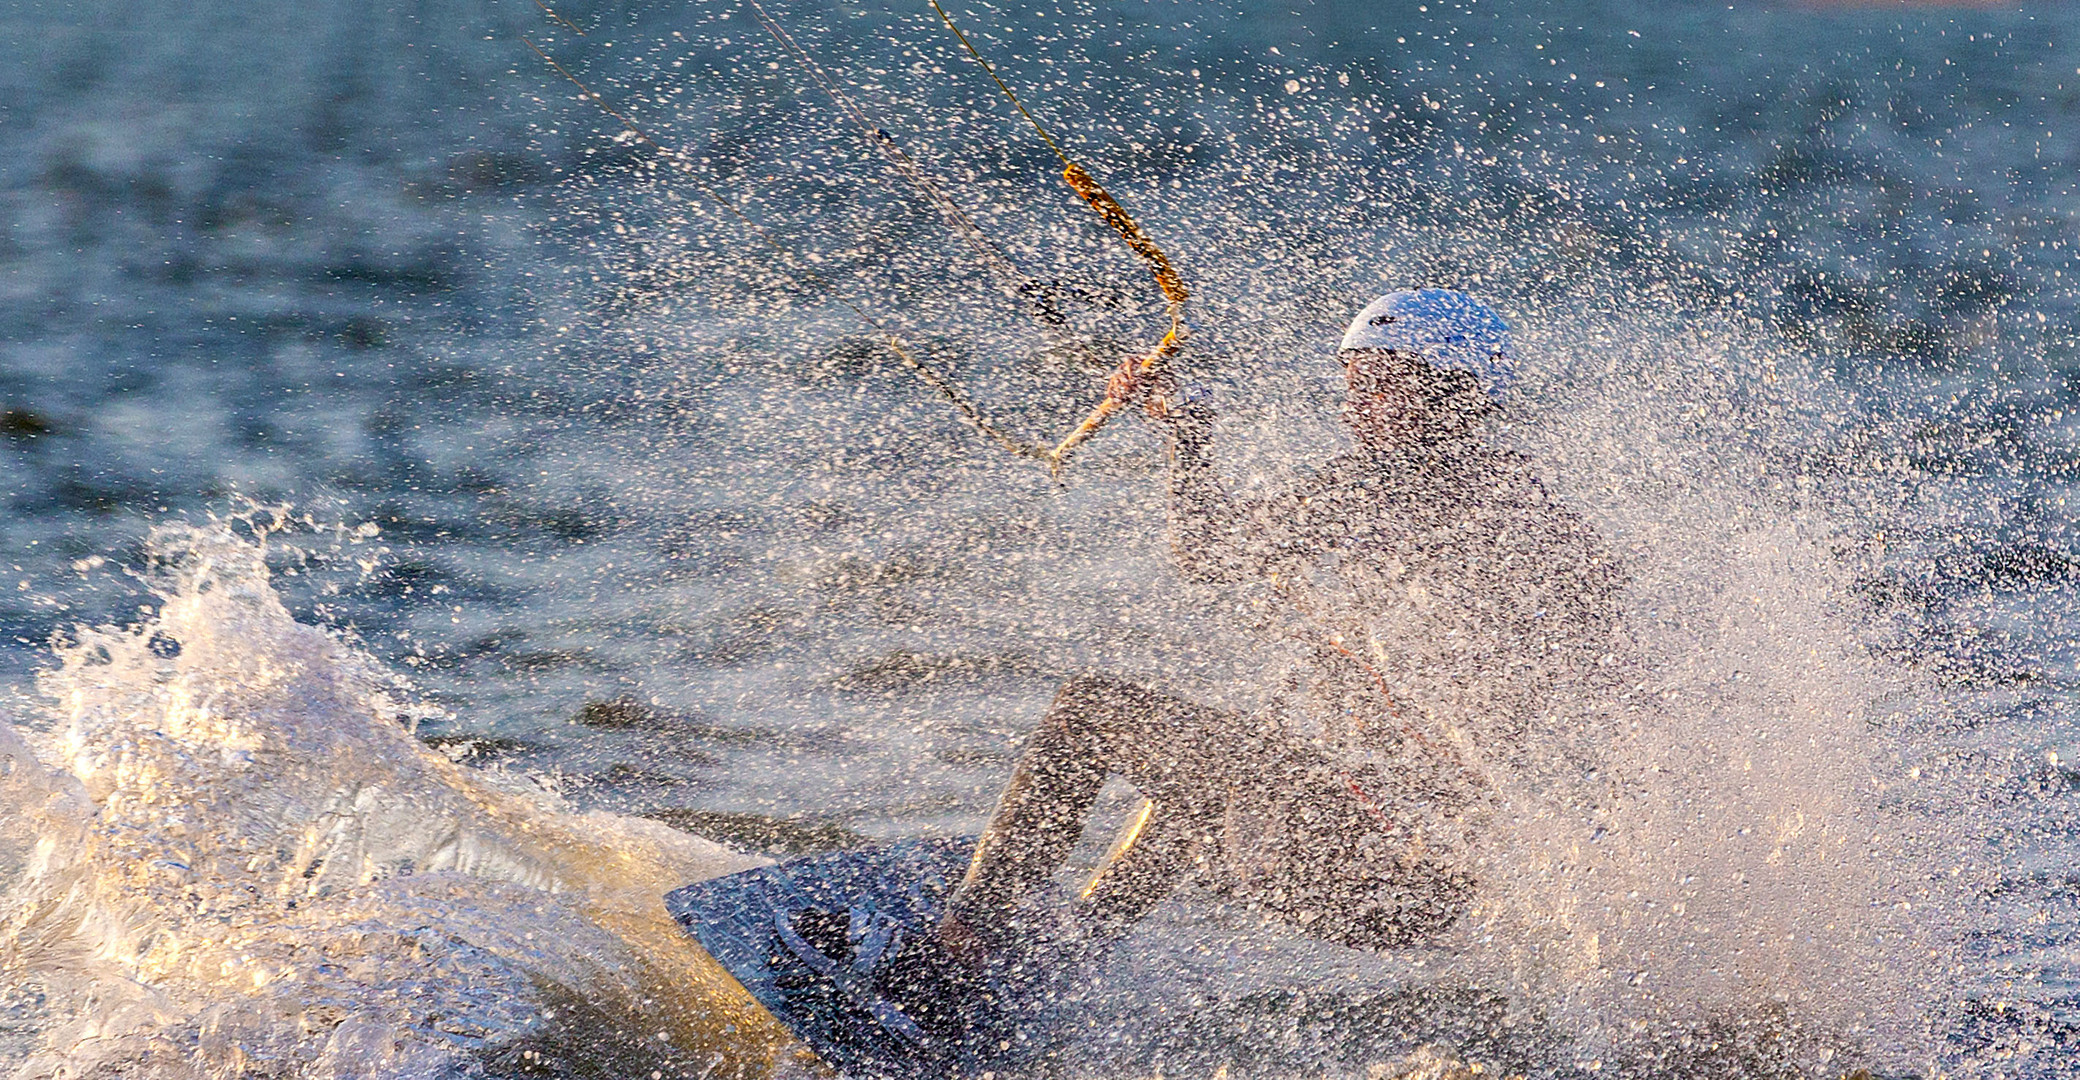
(438,530)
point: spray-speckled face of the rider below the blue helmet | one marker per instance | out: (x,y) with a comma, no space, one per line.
(1397,398)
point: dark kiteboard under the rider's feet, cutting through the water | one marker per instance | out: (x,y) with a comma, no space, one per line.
(839,948)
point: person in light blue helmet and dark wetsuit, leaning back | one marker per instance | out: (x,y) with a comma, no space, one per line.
(1436,607)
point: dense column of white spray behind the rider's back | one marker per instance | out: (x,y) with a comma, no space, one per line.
(1730,854)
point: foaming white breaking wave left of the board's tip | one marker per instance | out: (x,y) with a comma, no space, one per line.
(230,858)
